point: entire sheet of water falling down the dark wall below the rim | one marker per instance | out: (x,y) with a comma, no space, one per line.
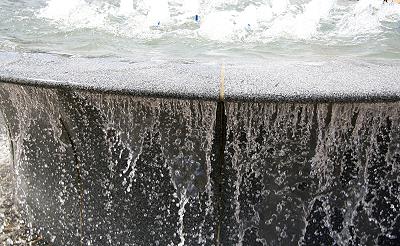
(106,169)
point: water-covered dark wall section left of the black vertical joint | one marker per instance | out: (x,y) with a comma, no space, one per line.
(153,155)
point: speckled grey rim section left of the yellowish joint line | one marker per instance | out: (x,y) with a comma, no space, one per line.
(177,79)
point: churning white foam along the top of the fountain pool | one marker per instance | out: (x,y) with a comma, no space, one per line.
(226,21)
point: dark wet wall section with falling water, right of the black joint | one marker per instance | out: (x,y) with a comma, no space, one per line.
(312,173)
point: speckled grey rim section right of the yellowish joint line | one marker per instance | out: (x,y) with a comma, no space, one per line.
(334,80)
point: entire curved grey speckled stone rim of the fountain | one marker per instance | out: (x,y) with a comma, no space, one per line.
(335,80)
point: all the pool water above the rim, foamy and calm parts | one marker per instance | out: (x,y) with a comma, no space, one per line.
(202,28)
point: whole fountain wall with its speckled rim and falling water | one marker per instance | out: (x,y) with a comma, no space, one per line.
(113,151)
